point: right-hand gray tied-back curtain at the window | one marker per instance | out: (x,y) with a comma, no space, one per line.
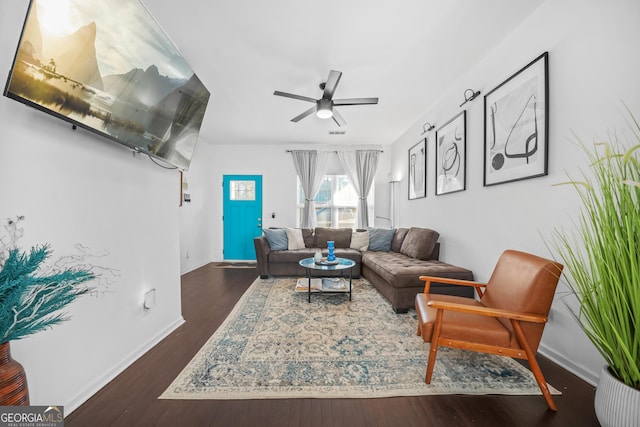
(361,166)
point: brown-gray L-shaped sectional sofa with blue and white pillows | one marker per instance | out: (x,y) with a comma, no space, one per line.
(391,259)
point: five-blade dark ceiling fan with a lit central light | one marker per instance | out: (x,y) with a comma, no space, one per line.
(324,107)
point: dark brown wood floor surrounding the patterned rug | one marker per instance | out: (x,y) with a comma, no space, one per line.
(209,294)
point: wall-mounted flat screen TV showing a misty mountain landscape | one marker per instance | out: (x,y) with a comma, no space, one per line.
(107,66)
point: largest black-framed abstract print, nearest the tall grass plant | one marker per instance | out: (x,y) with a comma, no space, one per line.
(516,125)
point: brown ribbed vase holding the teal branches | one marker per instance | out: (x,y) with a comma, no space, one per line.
(13,380)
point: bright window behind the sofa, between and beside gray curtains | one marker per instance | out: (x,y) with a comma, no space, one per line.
(336,203)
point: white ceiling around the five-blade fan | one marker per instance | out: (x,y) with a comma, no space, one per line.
(406,52)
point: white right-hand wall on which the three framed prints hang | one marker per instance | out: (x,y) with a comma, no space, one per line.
(593,63)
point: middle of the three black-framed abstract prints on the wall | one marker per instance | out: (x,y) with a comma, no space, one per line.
(451,154)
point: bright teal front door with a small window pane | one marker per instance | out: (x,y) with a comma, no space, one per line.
(242,215)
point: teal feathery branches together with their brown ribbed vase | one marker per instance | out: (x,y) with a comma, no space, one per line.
(30,301)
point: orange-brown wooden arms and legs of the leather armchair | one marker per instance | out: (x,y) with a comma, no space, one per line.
(515,318)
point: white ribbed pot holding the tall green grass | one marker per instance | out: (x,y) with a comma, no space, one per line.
(616,404)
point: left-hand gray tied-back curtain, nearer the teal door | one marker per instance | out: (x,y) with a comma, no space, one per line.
(310,167)
